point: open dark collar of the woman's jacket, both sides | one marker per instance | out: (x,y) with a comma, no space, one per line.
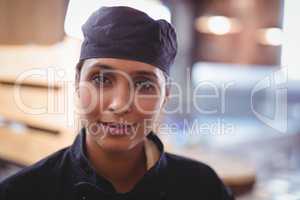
(87,177)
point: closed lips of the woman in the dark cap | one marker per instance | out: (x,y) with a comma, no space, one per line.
(117,128)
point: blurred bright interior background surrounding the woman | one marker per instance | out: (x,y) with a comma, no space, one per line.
(237,107)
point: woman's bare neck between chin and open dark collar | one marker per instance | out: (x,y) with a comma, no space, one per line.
(122,169)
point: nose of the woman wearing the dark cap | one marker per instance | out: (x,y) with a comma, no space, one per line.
(121,100)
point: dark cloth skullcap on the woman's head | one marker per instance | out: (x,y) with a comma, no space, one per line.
(126,33)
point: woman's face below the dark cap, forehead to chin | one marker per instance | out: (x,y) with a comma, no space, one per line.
(120,101)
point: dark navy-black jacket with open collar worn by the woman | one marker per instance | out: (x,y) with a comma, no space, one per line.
(68,175)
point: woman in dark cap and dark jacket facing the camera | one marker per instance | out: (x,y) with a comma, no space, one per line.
(122,87)
